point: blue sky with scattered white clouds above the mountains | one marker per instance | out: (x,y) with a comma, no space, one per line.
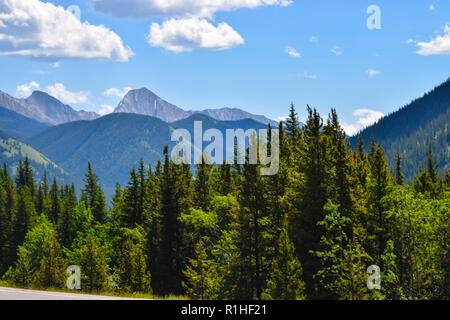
(335,61)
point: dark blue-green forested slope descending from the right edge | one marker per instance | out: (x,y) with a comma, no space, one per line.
(411,129)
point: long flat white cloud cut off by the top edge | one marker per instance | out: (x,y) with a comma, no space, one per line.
(140,9)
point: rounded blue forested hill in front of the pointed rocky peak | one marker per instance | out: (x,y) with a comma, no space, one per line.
(116,142)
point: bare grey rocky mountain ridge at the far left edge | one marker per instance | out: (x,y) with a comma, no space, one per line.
(44,108)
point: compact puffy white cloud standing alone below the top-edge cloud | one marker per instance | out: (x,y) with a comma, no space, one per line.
(186,35)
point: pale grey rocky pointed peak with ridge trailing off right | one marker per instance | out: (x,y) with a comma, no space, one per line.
(145,102)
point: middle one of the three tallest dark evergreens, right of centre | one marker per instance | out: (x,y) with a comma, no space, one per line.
(308,193)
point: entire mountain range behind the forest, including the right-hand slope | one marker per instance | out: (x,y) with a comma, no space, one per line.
(57,138)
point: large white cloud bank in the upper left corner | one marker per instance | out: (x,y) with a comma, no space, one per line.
(41,30)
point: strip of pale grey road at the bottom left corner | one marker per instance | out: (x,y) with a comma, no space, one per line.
(22,294)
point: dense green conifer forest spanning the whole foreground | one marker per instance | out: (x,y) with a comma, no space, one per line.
(226,232)
